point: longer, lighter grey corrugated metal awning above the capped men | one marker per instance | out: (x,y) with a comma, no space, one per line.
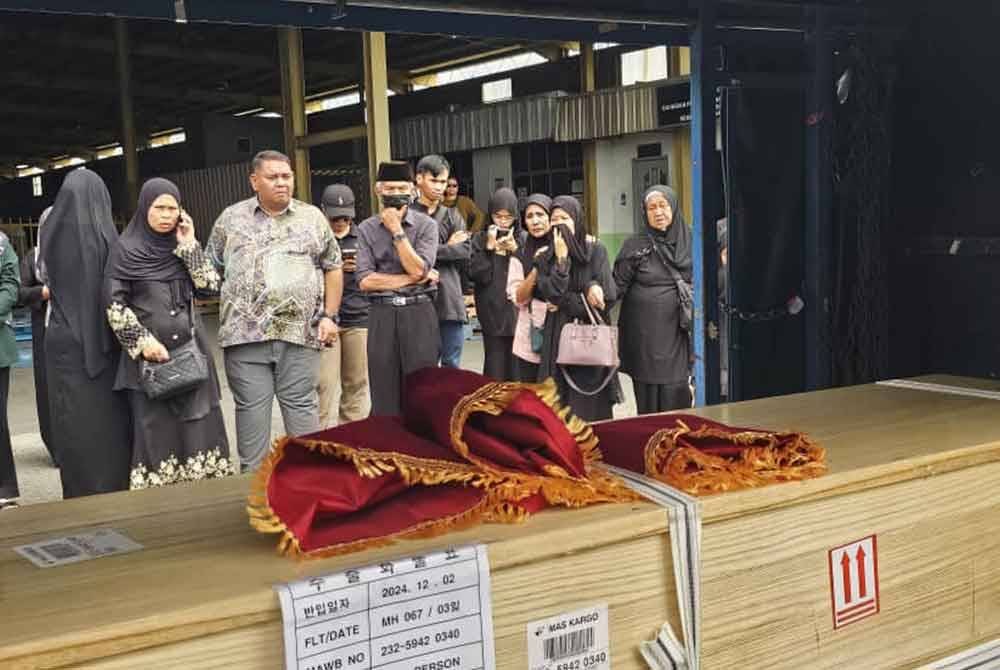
(510,122)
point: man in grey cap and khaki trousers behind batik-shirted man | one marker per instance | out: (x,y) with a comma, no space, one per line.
(343,378)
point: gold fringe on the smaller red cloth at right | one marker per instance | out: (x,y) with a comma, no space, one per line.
(763,460)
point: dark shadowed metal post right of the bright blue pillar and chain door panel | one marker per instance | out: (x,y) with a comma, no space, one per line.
(819,121)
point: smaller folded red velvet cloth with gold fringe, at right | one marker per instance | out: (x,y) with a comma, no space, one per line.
(701,456)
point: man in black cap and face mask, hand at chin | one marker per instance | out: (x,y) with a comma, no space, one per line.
(397,249)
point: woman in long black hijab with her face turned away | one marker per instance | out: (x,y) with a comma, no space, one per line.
(90,422)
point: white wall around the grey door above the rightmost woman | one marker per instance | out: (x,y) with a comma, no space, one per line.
(614,178)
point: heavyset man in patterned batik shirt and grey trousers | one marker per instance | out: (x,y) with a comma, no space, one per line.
(281,290)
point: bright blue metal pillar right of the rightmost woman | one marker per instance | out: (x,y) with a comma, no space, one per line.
(705,192)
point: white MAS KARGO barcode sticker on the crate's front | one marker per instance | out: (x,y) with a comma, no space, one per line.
(578,640)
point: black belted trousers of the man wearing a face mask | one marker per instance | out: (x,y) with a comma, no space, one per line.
(401,340)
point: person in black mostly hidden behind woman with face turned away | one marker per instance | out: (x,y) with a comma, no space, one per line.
(34,294)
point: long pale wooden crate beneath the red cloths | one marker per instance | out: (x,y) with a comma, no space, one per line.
(919,470)
